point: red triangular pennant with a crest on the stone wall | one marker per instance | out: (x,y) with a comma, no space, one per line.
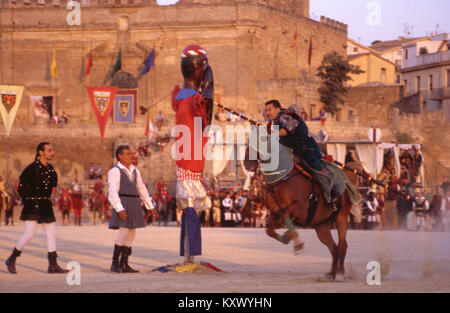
(102,101)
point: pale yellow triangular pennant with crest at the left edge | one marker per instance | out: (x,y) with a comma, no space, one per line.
(10,97)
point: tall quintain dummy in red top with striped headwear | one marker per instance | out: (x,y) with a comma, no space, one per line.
(193,107)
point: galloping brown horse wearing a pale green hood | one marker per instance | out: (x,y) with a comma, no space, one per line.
(288,200)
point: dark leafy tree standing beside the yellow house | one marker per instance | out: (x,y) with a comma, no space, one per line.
(334,71)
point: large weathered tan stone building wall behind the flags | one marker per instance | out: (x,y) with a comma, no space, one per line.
(249,44)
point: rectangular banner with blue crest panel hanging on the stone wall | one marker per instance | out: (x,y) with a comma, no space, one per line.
(125,104)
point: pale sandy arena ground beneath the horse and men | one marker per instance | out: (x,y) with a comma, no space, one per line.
(255,263)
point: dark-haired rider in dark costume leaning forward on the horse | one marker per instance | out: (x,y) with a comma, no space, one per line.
(294,134)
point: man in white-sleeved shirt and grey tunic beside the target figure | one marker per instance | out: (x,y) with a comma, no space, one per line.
(125,192)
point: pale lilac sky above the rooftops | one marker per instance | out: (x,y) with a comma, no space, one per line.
(370,20)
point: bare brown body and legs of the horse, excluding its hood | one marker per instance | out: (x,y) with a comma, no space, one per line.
(288,202)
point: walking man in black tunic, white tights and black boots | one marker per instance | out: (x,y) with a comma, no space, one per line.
(37,183)
